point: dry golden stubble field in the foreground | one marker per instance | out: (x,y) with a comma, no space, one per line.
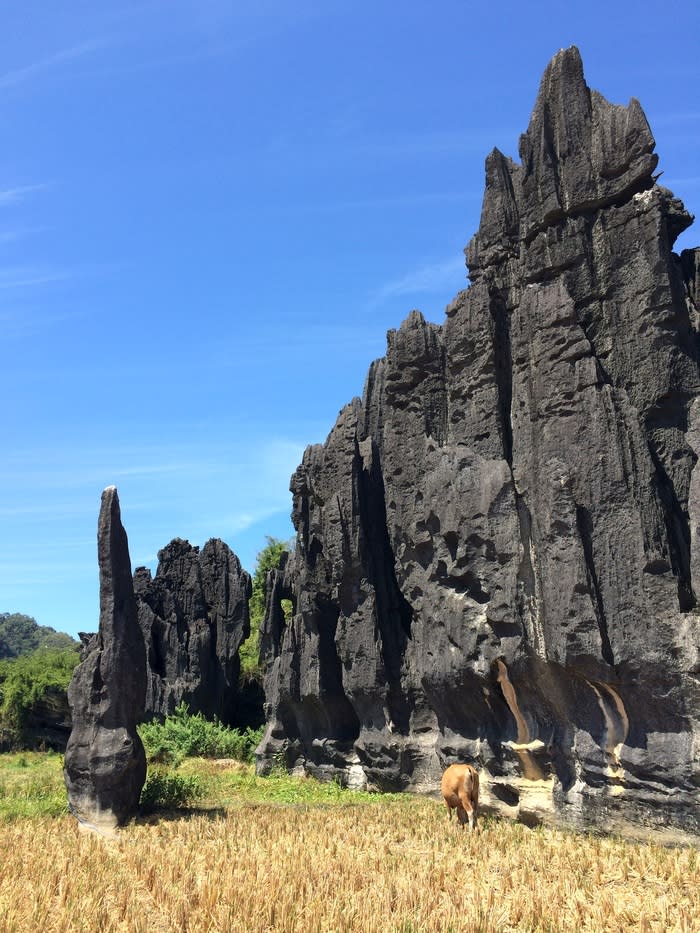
(333,863)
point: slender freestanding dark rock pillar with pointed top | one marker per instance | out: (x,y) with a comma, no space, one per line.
(105,764)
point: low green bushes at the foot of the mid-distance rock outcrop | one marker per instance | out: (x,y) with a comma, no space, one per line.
(184,735)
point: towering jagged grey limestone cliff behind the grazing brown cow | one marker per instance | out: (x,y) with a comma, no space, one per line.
(497,546)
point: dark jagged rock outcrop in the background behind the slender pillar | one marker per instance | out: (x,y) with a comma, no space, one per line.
(194,617)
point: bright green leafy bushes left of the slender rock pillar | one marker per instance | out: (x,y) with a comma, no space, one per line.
(30,681)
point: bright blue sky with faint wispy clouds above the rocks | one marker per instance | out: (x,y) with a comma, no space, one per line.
(211,213)
